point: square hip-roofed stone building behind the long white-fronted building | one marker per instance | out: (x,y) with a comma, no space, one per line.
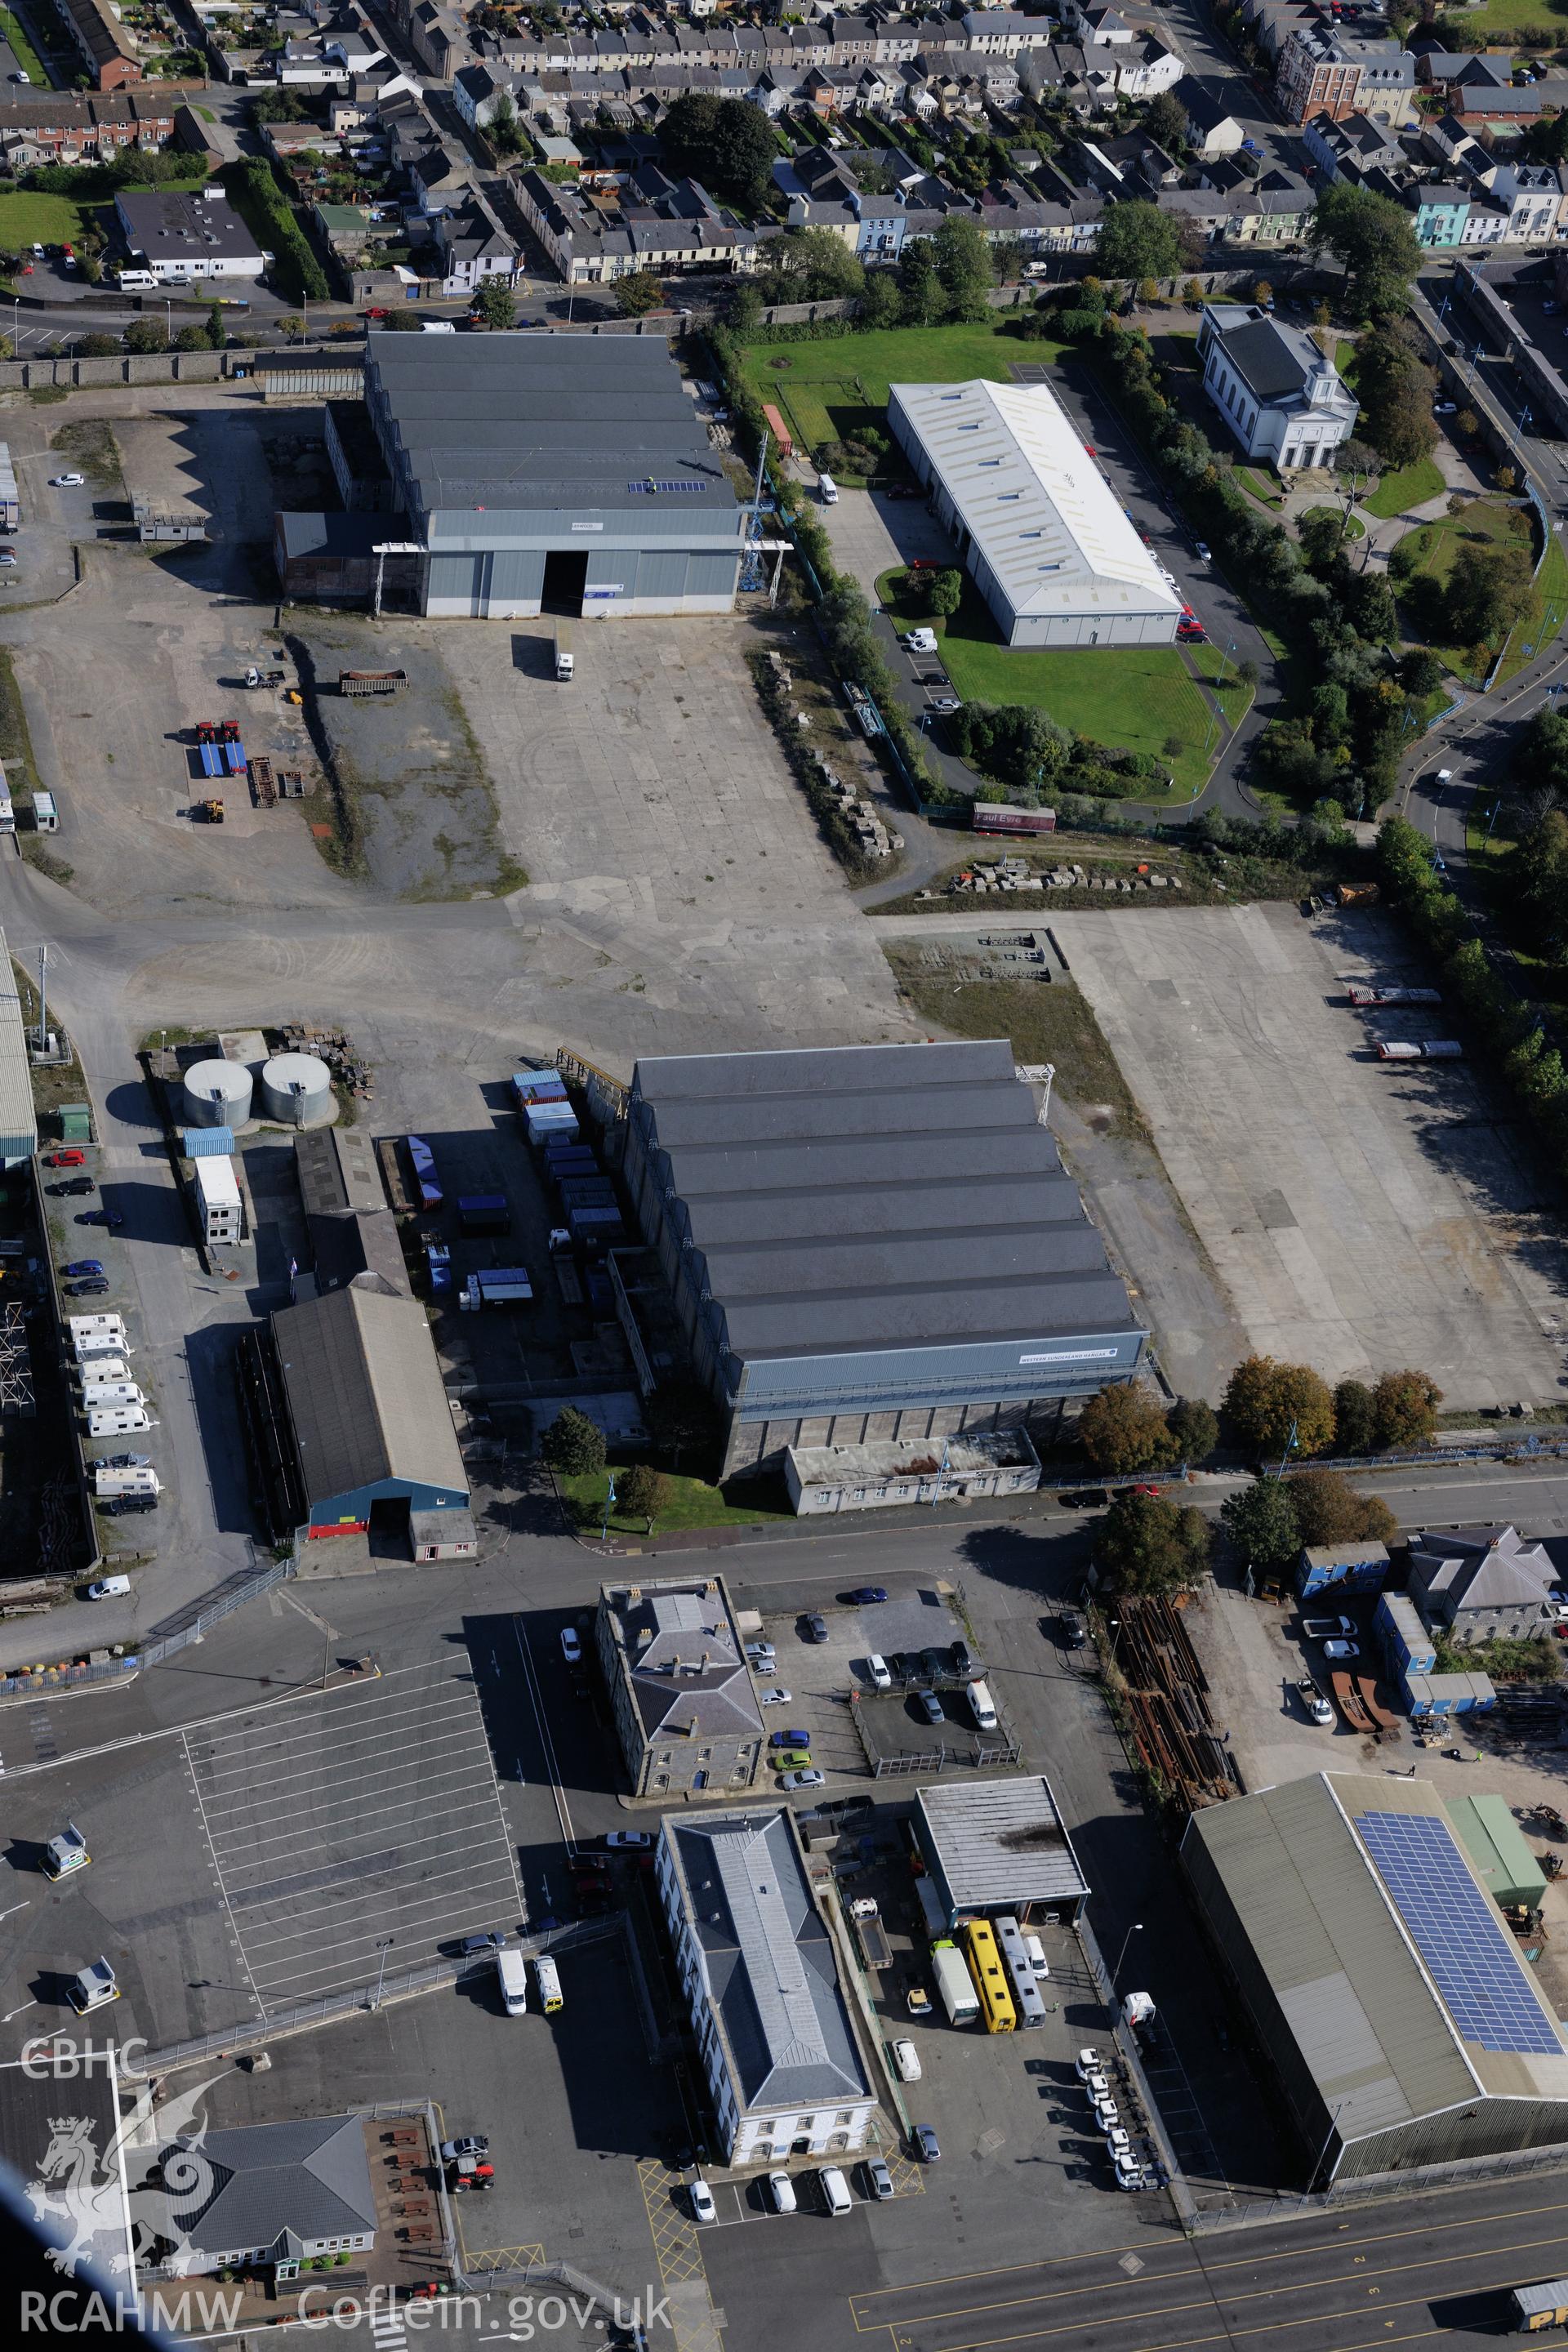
(681,1690)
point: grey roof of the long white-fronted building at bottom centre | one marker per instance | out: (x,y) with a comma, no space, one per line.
(768,1960)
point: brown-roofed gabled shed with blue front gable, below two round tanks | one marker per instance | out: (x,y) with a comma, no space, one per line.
(368,1410)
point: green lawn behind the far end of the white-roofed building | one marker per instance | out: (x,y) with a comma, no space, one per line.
(831,392)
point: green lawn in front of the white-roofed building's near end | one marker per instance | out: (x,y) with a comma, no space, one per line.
(1130,697)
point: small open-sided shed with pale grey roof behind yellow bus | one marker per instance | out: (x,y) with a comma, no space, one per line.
(998,1847)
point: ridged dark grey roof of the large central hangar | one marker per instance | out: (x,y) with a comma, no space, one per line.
(876,1198)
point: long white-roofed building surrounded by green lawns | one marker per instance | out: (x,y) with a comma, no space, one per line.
(1036,521)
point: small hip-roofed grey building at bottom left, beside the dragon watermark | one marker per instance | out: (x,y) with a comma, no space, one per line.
(281,2196)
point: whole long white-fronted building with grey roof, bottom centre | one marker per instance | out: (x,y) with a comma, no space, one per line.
(758,1967)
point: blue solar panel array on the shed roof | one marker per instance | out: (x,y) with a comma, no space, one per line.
(1463,1944)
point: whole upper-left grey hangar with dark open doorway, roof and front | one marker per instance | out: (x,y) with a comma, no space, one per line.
(554,474)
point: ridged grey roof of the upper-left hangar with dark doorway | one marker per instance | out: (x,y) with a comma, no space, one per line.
(547,422)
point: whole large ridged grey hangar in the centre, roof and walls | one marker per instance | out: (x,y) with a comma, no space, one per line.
(871,1243)
